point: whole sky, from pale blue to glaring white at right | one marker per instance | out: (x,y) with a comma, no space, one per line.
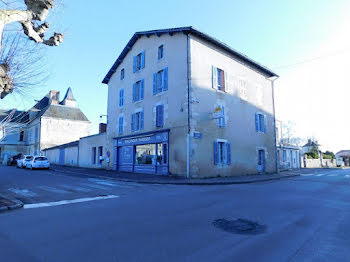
(307,43)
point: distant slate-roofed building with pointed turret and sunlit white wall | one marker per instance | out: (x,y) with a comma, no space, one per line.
(50,122)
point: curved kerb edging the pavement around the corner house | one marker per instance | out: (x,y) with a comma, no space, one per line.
(181,183)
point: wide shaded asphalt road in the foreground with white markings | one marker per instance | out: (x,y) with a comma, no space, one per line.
(306,218)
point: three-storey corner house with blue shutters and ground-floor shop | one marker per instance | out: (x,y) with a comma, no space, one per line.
(182,102)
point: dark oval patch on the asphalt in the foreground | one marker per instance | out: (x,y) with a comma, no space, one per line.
(240,226)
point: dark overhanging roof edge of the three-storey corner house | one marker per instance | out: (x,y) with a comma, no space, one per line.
(185,30)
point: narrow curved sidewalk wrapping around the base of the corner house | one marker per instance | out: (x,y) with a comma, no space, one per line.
(172,180)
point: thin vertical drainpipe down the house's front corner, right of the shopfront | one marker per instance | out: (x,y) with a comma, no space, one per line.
(188,107)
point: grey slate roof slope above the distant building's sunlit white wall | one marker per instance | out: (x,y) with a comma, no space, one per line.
(64,112)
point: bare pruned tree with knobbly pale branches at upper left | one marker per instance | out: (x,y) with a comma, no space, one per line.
(13,47)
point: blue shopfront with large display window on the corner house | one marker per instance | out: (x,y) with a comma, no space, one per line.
(144,153)
